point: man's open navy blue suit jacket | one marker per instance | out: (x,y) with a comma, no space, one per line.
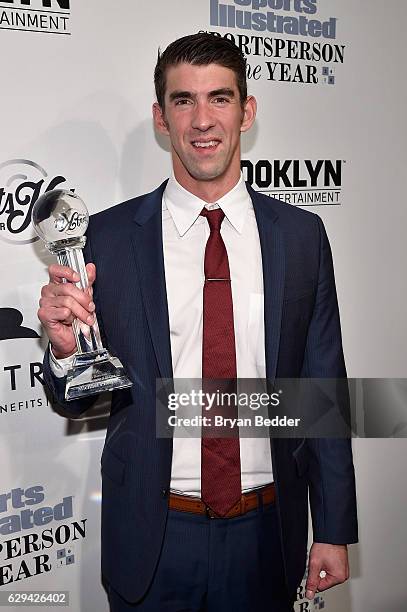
(302,337)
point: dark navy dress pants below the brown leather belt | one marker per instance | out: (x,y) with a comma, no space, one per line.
(216,565)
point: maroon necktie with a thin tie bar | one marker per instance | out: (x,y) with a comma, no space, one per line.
(220,470)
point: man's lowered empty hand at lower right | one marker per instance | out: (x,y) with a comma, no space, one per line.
(332,559)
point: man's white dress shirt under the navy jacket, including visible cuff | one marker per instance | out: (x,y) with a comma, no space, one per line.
(185,234)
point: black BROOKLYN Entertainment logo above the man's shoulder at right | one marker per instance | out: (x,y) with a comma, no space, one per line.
(300,182)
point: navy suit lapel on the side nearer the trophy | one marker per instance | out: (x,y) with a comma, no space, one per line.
(148,249)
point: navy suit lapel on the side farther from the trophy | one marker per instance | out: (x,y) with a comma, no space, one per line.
(273,258)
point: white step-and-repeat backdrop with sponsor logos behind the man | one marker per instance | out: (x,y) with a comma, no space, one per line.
(76,95)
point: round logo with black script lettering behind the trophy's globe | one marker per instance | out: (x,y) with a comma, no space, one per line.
(21,183)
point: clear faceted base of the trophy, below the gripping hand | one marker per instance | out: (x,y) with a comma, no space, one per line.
(94,372)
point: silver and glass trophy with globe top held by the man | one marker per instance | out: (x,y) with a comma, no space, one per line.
(60,218)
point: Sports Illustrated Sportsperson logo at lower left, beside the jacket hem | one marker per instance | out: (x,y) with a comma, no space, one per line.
(27,548)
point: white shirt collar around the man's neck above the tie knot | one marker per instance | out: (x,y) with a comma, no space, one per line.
(185,207)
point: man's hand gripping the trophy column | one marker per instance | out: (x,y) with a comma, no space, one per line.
(61,302)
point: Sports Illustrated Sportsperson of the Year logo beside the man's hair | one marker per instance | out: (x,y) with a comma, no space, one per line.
(298,59)
